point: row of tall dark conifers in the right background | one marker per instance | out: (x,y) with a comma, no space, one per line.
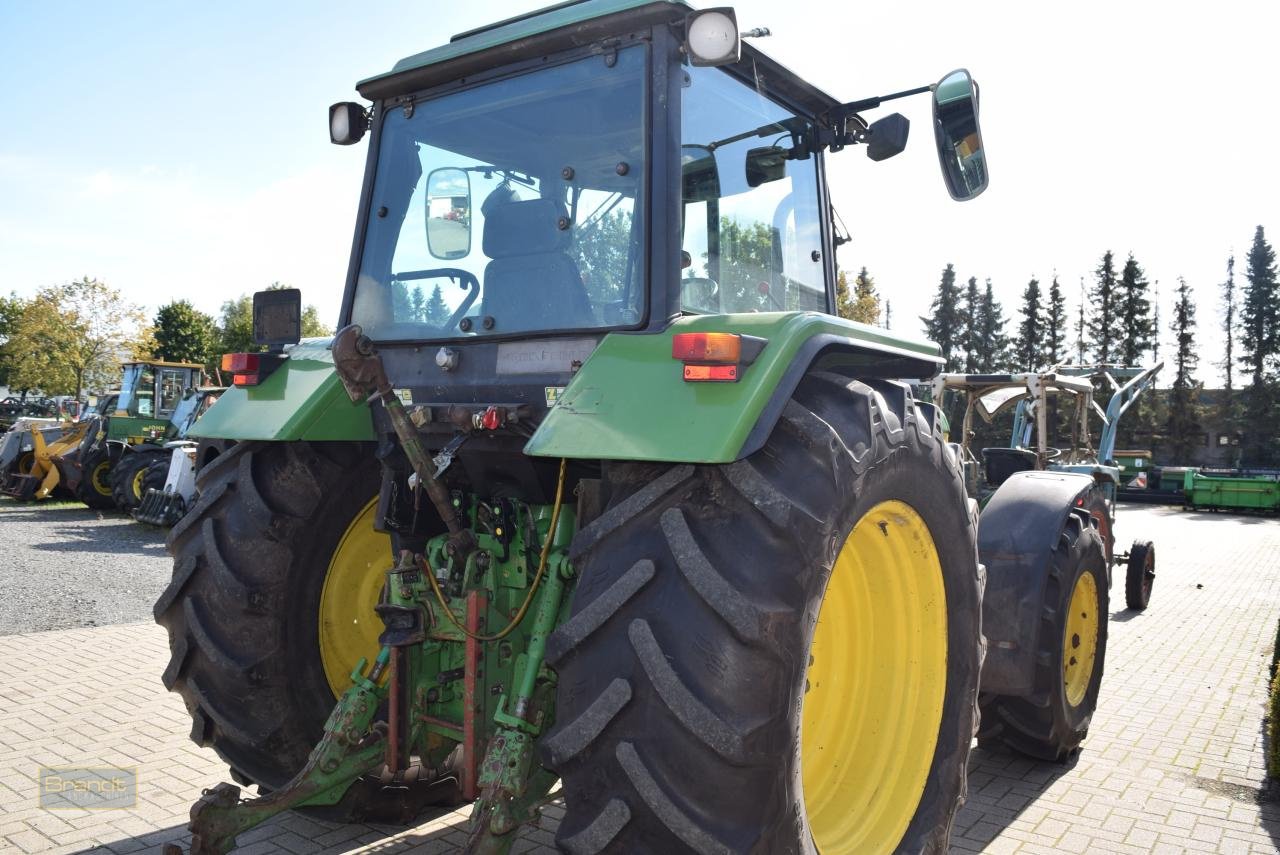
(1118,323)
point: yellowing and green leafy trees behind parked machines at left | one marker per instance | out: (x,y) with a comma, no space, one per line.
(70,340)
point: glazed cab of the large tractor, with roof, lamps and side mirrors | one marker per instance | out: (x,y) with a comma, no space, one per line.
(612,168)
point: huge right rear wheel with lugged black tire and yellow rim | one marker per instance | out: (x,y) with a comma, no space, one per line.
(780,655)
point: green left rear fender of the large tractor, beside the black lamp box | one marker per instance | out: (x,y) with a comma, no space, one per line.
(301,400)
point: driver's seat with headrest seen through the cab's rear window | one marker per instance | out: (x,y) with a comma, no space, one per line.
(532,284)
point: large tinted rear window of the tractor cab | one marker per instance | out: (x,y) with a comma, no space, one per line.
(511,208)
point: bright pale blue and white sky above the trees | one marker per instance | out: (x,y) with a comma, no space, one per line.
(181,150)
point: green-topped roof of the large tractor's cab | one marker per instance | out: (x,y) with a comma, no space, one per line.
(563,28)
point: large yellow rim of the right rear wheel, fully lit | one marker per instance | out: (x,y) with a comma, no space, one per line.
(877,683)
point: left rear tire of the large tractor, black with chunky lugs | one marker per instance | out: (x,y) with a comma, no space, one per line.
(244,609)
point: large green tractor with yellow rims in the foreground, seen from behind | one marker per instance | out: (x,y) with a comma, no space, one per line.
(593,486)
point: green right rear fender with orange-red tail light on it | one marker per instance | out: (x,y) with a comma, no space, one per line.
(630,401)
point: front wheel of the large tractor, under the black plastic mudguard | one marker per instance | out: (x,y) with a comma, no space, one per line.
(1054,721)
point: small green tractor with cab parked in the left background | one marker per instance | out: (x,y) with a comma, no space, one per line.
(107,470)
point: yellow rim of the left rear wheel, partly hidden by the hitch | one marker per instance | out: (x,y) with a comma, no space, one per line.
(349,625)
